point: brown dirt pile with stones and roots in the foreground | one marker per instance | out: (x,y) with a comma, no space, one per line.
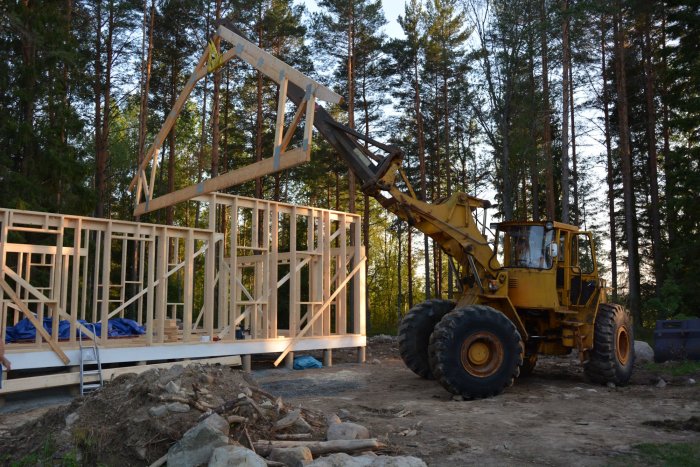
(134,419)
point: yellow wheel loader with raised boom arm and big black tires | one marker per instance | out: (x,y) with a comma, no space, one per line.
(534,290)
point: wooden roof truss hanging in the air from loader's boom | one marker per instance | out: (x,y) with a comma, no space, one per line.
(282,158)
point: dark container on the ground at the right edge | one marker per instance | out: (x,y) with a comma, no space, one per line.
(677,340)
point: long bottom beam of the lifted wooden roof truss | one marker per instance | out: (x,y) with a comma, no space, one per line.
(288,160)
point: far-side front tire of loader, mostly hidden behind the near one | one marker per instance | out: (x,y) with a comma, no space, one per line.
(414,334)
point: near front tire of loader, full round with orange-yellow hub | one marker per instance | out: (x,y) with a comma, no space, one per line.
(475,352)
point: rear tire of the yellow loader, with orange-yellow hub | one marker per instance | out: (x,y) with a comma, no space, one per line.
(612,357)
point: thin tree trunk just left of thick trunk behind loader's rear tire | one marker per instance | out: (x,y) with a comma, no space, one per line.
(608,149)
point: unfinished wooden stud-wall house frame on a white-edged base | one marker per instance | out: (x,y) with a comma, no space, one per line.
(278,278)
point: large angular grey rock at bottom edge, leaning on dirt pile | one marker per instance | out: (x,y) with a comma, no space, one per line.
(199,442)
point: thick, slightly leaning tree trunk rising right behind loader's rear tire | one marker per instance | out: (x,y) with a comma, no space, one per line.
(626,163)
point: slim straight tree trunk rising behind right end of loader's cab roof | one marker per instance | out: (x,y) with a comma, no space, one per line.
(565,115)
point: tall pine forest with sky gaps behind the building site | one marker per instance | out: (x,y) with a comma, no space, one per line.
(586,112)
